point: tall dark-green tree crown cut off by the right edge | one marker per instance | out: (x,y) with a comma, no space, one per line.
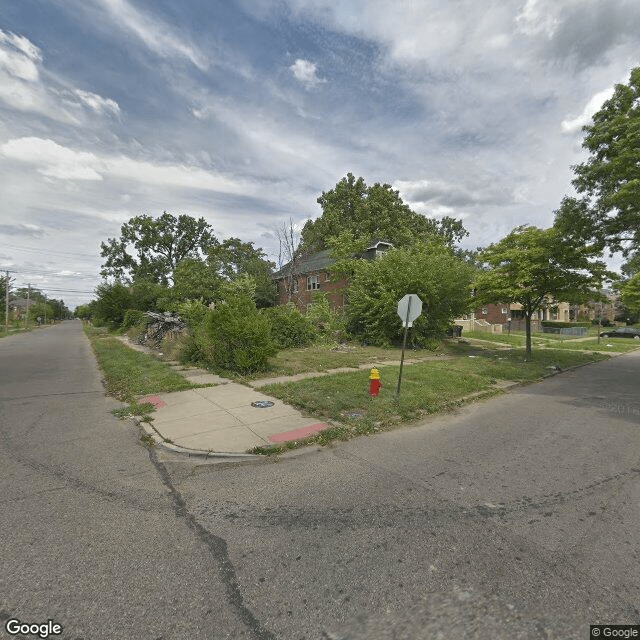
(608,210)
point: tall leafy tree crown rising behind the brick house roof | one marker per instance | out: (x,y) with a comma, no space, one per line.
(353,214)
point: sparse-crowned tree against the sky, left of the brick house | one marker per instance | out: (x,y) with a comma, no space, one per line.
(159,245)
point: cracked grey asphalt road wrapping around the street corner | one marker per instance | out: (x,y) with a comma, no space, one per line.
(513,518)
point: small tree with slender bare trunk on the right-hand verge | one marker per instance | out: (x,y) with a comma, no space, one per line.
(534,267)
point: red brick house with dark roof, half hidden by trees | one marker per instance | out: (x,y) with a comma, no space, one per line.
(298,280)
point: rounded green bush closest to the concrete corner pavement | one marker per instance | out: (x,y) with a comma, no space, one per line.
(239,337)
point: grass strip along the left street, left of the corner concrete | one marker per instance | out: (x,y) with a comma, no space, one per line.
(129,373)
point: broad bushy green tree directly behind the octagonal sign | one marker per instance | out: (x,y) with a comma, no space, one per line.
(429,269)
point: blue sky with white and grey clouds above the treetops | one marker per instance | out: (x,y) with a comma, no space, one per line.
(244,111)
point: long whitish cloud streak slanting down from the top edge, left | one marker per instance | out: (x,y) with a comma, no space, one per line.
(157,36)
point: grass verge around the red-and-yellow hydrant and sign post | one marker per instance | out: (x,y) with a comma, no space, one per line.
(427,387)
